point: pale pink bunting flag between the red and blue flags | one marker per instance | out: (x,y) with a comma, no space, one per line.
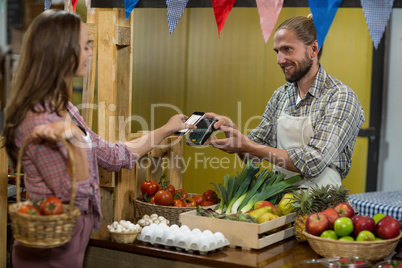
(269,12)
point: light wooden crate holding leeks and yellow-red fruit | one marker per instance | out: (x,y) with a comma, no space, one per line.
(242,234)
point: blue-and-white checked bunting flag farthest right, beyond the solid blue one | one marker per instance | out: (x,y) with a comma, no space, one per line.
(377,13)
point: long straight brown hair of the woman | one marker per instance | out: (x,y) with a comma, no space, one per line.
(49,58)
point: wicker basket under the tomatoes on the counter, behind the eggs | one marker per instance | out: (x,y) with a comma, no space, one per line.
(170,213)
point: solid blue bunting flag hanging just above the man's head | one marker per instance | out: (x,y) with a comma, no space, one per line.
(324,12)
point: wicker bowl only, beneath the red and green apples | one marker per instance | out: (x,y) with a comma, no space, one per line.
(368,250)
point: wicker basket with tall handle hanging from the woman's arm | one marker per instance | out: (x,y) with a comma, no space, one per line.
(39,231)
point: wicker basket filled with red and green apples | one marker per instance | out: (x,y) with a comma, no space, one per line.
(340,232)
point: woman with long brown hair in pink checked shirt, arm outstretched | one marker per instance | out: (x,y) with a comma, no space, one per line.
(54,51)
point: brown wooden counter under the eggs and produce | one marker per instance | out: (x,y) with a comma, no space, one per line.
(102,252)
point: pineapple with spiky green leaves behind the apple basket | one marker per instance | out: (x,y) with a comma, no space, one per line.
(315,199)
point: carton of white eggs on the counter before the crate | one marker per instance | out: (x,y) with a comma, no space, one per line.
(182,238)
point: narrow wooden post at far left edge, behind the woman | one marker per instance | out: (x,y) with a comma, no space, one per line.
(3,205)
